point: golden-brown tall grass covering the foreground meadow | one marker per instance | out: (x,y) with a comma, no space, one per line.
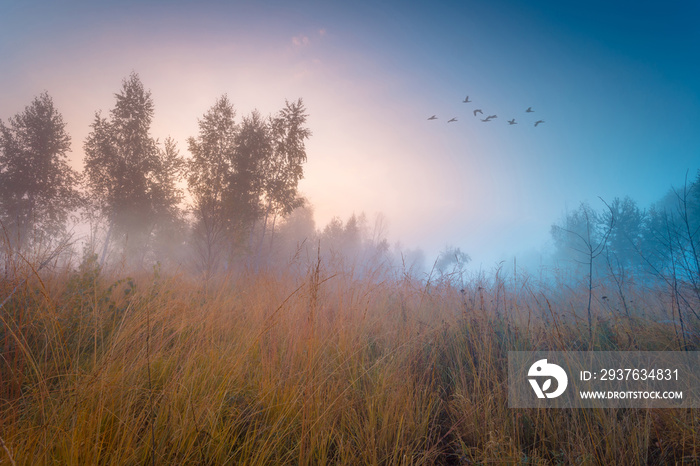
(316,368)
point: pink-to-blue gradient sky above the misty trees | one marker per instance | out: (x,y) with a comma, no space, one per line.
(617,84)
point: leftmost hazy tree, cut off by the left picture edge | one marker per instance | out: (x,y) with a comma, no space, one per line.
(38,189)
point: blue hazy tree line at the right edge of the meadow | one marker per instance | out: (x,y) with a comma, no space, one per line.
(661,240)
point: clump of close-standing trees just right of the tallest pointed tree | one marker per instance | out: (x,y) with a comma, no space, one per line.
(242,176)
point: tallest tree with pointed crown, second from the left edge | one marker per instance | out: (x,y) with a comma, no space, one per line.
(131,179)
